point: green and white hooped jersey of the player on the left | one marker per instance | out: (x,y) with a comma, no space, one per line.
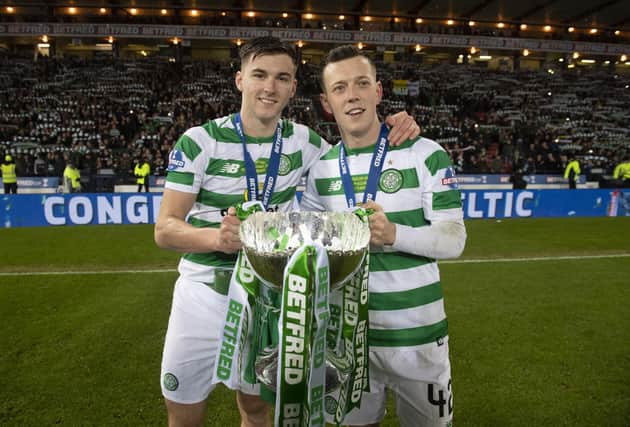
(208,161)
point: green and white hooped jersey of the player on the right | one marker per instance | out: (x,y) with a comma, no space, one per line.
(417,185)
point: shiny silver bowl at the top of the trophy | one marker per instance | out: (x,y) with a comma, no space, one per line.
(270,238)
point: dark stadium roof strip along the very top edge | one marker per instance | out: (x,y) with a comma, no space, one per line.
(614,14)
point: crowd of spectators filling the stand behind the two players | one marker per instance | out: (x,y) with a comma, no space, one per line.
(107,114)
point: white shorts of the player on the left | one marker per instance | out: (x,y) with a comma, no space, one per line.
(191,343)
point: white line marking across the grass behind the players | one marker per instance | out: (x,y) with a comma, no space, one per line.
(455,261)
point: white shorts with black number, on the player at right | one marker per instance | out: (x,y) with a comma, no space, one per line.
(420,381)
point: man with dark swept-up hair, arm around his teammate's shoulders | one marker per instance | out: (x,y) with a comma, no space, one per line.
(210,170)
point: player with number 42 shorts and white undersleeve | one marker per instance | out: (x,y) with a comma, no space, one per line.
(417,219)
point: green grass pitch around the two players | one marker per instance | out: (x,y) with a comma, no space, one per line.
(533,342)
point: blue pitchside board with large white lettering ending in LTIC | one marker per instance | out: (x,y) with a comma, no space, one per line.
(28,210)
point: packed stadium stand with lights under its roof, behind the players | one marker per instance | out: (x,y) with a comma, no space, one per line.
(105,108)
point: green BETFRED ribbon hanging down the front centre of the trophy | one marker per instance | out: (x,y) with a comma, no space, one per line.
(301,376)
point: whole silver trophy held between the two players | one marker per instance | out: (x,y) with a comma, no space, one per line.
(269,239)
